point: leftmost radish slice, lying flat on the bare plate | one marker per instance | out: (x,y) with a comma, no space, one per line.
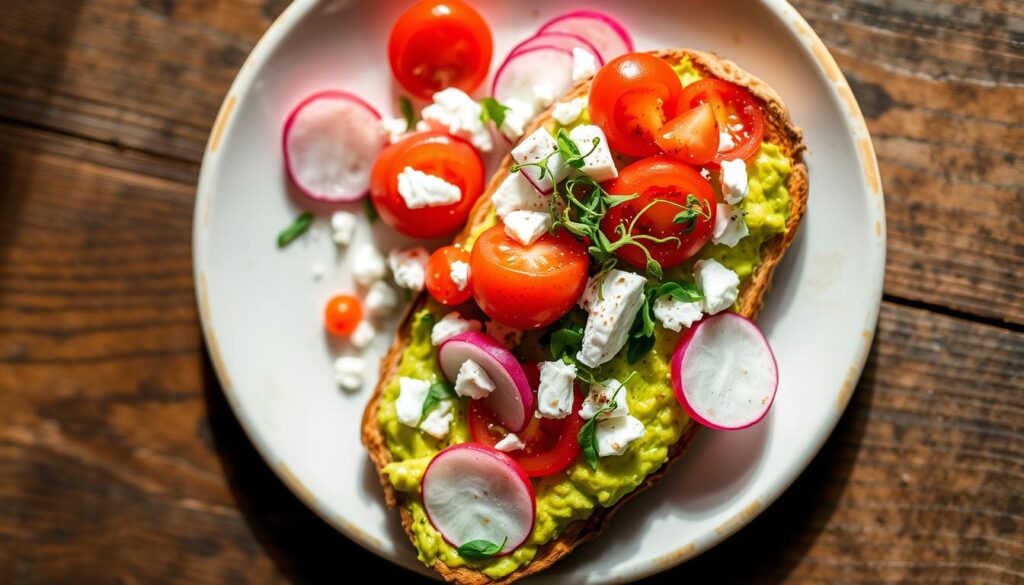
(331,142)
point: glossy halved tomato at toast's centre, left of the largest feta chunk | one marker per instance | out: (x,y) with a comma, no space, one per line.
(527,287)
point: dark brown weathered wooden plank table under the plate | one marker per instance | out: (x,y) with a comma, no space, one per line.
(120,461)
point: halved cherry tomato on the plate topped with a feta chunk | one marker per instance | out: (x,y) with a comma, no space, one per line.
(434,153)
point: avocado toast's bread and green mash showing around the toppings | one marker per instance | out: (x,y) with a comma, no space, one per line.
(576,507)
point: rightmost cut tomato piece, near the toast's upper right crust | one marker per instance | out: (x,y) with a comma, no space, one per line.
(736,111)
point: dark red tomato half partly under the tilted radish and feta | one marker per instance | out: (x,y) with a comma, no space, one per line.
(551,445)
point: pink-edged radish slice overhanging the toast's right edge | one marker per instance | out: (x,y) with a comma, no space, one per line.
(724,372)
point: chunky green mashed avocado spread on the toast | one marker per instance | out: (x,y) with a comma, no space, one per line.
(575,494)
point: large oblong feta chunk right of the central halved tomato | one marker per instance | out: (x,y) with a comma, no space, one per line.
(611,315)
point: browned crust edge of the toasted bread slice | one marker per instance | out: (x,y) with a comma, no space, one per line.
(780,131)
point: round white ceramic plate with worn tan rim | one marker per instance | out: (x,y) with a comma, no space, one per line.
(262,308)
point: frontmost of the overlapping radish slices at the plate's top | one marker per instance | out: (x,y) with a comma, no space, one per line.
(531,68)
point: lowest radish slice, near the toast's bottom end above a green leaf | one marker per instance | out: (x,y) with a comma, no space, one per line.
(474,492)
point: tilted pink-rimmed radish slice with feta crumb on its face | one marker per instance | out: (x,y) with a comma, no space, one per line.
(513,400)
